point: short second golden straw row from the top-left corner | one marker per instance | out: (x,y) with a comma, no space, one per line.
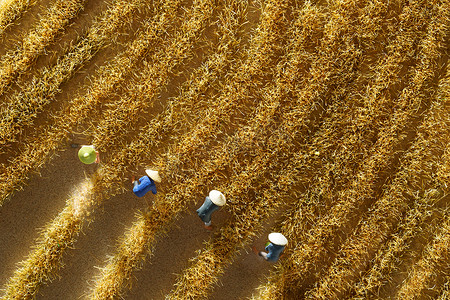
(19,60)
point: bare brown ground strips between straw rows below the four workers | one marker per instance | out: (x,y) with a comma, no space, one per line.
(45,196)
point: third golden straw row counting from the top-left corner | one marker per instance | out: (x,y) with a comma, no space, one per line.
(24,105)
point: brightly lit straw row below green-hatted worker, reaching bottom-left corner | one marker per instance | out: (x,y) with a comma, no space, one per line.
(62,232)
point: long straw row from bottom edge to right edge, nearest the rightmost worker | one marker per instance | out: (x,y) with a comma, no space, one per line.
(415,175)
